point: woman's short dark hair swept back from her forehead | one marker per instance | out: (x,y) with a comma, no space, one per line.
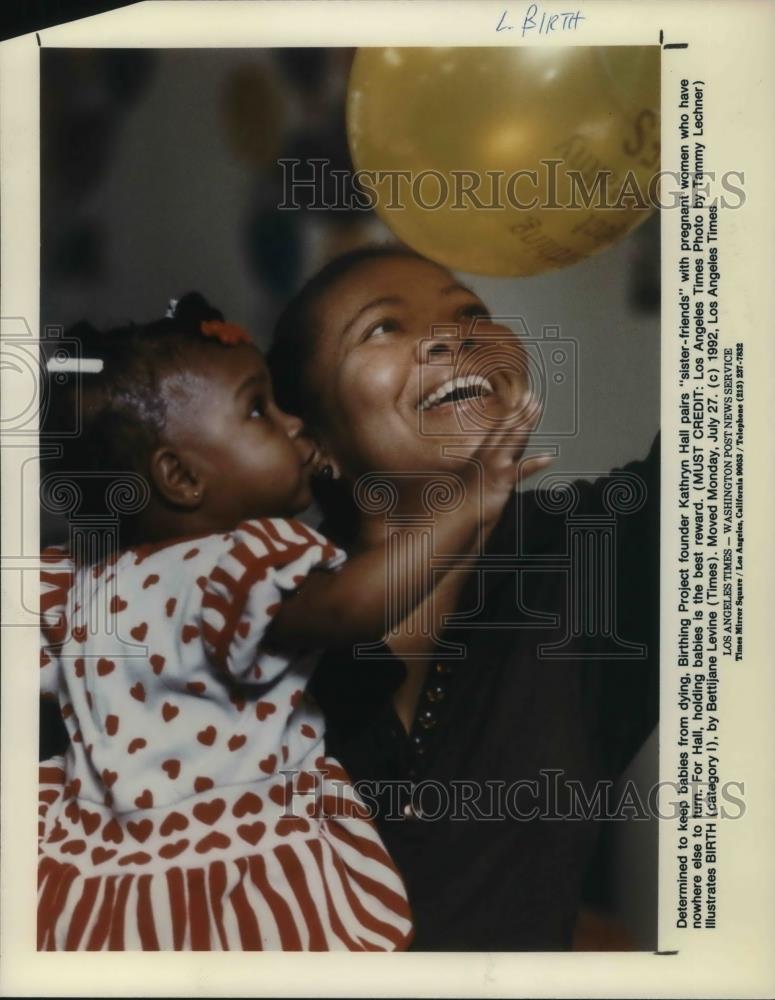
(293,345)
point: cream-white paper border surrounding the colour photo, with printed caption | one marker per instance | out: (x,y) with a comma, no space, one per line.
(729,43)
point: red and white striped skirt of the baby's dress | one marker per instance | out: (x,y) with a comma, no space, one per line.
(338,890)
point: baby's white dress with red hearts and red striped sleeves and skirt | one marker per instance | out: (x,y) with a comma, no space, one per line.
(195,808)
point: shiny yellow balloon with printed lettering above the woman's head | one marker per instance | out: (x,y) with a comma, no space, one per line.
(558,149)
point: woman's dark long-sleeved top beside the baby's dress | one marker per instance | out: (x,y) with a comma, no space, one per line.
(481,878)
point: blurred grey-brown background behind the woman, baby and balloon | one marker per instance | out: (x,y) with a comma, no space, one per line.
(159,175)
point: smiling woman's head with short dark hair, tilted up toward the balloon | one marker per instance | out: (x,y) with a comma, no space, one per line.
(378,335)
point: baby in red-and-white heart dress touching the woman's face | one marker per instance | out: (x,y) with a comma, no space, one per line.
(195,807)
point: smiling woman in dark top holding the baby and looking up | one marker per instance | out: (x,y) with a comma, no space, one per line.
(528,678)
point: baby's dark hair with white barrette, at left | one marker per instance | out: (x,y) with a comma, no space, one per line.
(107,424)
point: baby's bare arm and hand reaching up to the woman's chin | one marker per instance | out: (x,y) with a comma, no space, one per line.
(352,604)
